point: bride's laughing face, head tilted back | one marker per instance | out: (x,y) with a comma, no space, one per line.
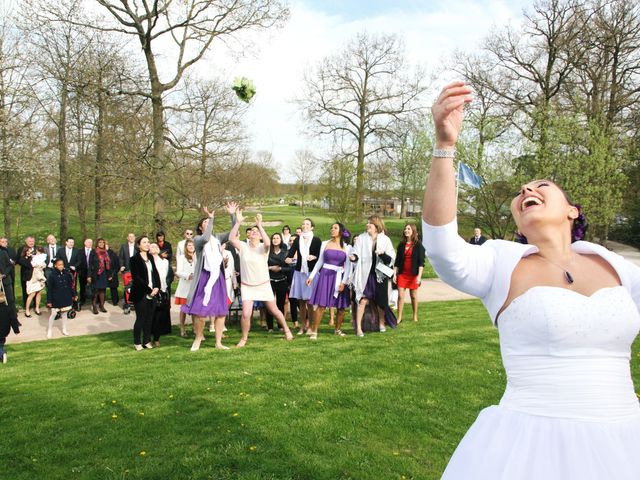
(541,203)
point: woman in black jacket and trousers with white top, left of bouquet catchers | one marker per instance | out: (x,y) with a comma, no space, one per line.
(145,285)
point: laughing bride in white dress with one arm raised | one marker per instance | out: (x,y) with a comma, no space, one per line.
(567,314)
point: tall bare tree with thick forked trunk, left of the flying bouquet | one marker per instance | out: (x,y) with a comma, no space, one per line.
(190,27)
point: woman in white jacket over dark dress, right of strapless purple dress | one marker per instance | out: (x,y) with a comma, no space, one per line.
(373,255)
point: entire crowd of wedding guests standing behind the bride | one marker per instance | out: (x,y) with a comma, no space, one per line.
(285,274)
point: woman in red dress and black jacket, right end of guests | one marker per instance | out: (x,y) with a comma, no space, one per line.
(407,271)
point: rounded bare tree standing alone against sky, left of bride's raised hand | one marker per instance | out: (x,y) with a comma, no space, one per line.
(356,95)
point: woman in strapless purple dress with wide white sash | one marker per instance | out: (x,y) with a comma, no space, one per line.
(328,279)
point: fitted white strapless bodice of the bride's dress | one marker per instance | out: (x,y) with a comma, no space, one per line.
(567,354)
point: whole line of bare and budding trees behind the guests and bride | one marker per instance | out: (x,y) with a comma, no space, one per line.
(100,108)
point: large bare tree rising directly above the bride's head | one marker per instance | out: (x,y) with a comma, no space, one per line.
(534,68)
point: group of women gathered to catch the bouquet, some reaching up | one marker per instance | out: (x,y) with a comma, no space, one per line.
(298,274)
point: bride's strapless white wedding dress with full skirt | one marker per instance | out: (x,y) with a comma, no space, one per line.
(569,410)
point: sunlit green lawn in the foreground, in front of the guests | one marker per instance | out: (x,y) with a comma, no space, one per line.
(388,406)
